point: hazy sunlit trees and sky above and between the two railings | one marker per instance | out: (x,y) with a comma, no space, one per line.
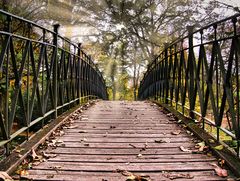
(128,33)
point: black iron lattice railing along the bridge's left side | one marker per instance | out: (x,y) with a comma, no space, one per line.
(42,74)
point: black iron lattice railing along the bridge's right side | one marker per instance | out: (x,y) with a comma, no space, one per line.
(198,75)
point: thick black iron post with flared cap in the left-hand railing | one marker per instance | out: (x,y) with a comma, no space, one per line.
(55,64)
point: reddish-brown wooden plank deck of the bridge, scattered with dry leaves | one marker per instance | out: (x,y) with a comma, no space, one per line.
(111,138)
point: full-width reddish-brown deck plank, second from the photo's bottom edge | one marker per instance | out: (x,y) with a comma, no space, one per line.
(132,167)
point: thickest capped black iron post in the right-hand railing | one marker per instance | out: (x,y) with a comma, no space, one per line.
(191,70)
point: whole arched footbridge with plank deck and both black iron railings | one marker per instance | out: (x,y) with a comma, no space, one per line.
(51,129)
